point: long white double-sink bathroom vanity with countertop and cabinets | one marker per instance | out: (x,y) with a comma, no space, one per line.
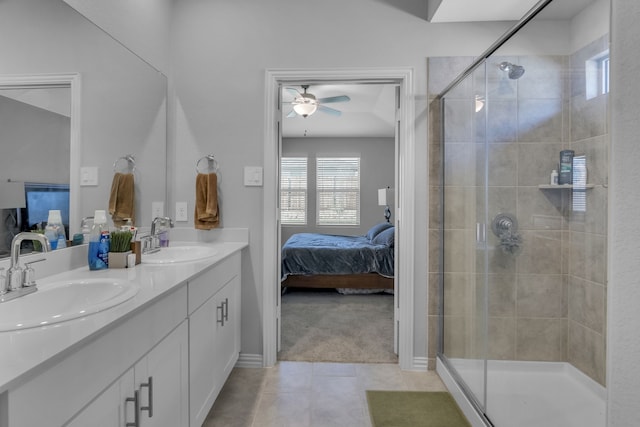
(157,359)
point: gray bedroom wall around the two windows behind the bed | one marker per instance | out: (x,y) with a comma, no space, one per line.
(377,164)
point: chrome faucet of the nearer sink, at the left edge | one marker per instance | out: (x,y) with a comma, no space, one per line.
(18,282)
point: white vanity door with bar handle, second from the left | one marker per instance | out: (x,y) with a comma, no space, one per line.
(162,381)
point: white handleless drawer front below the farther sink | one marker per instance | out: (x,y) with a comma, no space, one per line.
(204,286)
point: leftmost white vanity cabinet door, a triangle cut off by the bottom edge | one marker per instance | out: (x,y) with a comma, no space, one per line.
(110,408)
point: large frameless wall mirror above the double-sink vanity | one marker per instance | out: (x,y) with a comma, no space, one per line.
(71,96)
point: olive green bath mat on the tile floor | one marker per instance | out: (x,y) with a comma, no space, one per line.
(414,409)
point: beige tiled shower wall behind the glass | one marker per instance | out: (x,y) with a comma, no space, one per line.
(546,303)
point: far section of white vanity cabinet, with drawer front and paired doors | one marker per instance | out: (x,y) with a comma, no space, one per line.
(214,334)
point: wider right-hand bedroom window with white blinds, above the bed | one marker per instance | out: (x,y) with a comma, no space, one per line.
(338,190)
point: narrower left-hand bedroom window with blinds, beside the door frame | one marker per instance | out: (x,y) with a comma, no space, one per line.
(293,190)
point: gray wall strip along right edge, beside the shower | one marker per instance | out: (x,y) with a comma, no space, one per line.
(623,346)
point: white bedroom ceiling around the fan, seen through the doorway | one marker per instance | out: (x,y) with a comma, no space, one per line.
(369,113)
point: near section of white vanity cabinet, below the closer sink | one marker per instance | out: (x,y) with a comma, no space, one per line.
(90,386)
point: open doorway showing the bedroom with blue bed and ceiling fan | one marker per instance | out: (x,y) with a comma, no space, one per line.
(337,301)
